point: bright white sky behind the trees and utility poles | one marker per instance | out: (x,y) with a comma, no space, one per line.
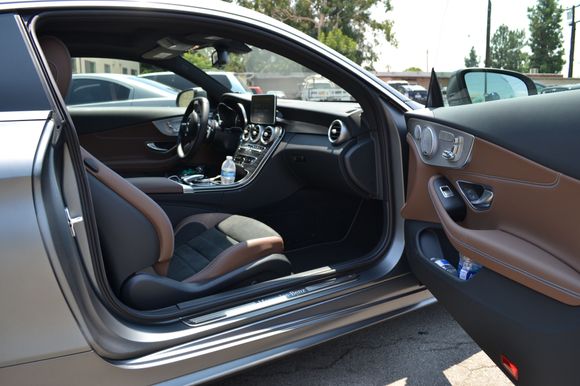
(440,33)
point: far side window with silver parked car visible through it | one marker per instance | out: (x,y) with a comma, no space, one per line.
(107,82)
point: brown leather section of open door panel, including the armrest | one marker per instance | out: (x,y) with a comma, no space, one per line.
(527,234)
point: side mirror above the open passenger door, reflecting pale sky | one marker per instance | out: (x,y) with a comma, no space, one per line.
(476,85)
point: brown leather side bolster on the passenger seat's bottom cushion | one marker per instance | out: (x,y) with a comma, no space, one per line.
(239,255)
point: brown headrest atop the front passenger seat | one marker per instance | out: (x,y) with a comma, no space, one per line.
(59,60)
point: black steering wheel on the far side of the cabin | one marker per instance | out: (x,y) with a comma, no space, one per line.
(193,127)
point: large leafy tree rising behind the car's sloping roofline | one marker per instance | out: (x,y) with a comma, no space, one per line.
(344,25)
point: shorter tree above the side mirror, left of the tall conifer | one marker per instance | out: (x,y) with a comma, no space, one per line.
(507,49)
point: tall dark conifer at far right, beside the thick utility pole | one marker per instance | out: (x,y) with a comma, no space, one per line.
(546,36)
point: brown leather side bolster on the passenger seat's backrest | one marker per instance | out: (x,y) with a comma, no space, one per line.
(139,200)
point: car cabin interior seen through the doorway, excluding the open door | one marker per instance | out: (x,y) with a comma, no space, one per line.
(307,196)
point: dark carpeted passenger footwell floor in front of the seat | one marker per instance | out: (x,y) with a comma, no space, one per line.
(323,228)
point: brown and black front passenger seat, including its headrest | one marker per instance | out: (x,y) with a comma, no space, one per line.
(149,263)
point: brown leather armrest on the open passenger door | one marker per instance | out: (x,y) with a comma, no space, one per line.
(512,257)
